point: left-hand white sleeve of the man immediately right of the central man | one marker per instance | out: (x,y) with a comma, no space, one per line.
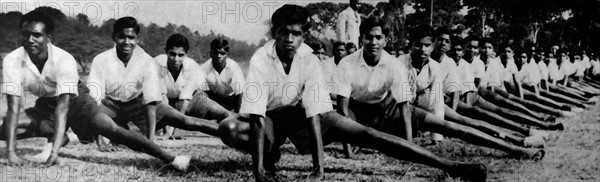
(341,78)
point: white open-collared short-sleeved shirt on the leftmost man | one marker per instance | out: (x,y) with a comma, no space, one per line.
(59,75)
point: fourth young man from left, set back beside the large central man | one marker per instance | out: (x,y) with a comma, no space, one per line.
(224,76)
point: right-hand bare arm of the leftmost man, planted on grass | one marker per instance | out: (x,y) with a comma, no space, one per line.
(60,114)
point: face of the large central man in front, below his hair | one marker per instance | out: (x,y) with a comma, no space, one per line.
(288,38)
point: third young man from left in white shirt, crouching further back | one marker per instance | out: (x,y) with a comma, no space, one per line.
(184,84)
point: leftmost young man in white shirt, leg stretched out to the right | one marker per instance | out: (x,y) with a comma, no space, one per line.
(37,64)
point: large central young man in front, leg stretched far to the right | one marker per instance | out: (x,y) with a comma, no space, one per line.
(304,113)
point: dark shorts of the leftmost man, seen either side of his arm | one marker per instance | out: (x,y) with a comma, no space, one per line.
(81,110)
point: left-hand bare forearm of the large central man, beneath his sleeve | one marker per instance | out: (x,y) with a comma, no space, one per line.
(257,138)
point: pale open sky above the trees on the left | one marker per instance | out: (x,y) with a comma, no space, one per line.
(242,19)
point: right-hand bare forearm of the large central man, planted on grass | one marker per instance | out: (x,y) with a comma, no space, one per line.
(317,147)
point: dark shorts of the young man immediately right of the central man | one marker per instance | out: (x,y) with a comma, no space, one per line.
(386,116)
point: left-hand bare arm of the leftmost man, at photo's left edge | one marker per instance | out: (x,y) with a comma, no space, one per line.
(10,127)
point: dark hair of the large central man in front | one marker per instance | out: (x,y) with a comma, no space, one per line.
(289,14)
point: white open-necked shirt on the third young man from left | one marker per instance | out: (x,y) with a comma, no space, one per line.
(190,79)
